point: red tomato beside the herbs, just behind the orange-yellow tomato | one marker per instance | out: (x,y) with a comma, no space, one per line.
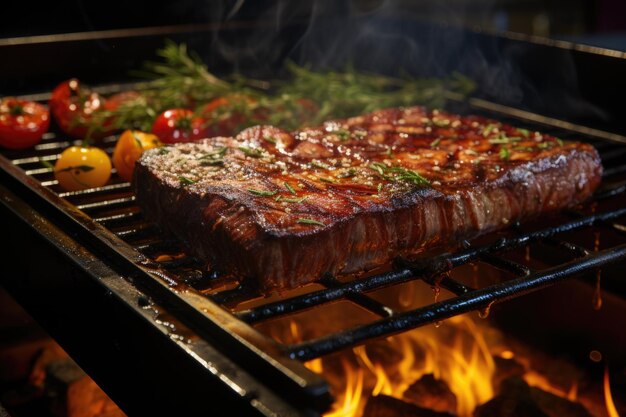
(178,125)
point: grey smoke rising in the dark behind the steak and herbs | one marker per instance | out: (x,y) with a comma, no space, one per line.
(426,38)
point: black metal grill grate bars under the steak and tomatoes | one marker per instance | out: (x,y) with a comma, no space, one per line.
(113,207)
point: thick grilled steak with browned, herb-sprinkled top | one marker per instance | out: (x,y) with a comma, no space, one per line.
(284,208)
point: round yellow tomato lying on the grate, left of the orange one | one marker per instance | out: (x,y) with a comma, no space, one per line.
(81,167)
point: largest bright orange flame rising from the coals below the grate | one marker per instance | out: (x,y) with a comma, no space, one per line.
(464,363)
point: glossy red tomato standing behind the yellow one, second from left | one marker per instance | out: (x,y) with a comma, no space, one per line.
(73,106)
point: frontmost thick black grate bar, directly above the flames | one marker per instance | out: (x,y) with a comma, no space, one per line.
(462,304)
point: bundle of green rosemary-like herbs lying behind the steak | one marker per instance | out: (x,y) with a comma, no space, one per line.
(308,97)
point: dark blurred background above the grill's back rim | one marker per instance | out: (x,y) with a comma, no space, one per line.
(595,22)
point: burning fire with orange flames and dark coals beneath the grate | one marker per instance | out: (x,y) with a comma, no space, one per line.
(460,367)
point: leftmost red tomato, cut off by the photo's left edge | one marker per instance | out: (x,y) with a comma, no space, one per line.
(22,123)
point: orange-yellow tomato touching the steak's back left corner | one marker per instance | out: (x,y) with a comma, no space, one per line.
(129,148)
